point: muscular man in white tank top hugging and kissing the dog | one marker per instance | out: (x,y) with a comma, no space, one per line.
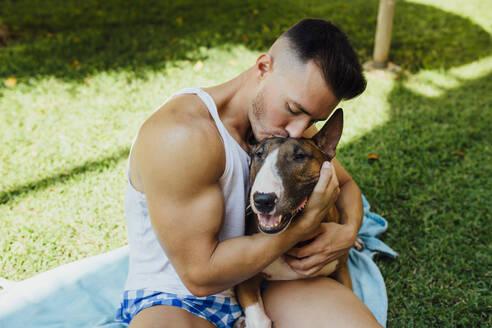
(188,182)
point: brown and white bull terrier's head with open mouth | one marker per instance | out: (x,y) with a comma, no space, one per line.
(284,172)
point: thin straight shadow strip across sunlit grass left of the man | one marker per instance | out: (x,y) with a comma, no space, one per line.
(89,166)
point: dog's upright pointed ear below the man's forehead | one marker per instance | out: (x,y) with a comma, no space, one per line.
(327,139)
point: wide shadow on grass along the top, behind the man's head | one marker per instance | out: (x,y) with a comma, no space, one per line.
(83,38)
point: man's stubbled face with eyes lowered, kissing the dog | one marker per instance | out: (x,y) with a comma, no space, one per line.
(289,100)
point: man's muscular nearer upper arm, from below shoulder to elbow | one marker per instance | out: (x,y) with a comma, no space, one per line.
(180,169)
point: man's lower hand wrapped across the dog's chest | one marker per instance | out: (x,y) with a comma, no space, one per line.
(331,241)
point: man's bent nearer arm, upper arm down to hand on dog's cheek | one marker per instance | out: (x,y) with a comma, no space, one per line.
(180,165)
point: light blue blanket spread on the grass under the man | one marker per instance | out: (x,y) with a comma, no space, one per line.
(87,293)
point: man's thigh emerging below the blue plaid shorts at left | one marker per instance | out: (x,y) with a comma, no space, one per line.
(169,317)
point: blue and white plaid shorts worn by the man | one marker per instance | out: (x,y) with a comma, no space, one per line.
(220,310)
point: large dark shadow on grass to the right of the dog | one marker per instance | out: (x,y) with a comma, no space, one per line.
(436,201)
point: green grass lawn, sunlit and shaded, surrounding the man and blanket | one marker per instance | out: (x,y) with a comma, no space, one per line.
(66,129)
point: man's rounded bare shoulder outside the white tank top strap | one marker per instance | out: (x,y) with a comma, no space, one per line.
(180,142)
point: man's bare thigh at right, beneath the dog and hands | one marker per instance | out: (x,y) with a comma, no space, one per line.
(318,302)
